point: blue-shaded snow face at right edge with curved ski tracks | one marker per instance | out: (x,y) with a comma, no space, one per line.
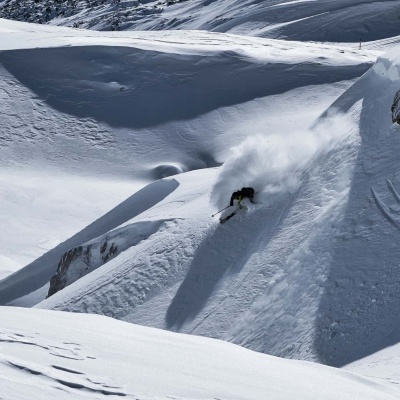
(357,313)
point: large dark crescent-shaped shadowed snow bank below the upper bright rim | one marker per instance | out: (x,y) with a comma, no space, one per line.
(133,88)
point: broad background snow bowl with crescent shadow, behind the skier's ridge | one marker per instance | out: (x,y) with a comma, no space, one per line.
(88,145)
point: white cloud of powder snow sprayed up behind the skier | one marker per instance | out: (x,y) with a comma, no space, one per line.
(274,165)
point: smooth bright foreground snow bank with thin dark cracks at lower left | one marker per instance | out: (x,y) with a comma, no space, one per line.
(59,355)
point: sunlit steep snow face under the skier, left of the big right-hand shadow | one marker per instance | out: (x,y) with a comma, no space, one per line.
(247,281)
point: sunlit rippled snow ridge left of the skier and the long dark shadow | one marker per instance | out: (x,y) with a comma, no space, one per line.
(153,266)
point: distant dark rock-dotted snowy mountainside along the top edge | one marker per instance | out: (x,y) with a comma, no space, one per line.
(323,20)
